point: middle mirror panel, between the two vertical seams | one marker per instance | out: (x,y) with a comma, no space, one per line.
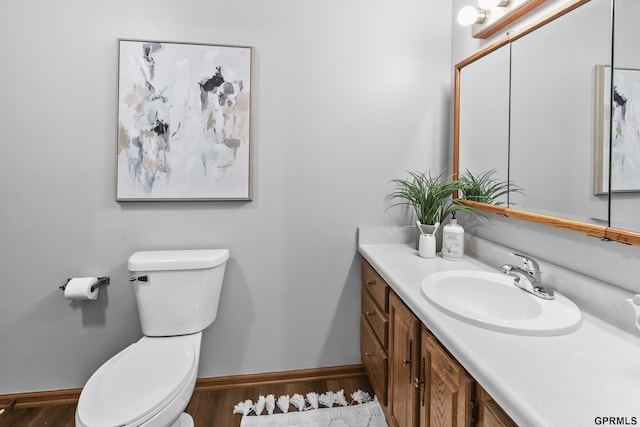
(553,125)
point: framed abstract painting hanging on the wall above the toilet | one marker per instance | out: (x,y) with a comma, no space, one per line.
(184,122)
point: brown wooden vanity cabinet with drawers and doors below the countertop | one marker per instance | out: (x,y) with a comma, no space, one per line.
(418,383)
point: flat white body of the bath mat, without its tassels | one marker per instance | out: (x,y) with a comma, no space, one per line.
(362,415)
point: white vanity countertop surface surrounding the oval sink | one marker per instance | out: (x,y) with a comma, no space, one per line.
(564,381)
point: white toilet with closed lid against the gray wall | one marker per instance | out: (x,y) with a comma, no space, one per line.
(150,382)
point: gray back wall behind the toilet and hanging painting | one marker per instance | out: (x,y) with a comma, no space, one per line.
(348,95)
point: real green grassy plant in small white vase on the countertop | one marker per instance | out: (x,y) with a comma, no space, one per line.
(430,197)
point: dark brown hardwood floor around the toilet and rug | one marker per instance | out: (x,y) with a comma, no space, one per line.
(212,402)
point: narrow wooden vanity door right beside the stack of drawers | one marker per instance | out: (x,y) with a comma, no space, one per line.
(403,348)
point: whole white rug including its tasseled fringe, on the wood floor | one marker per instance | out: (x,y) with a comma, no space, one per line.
(363,412)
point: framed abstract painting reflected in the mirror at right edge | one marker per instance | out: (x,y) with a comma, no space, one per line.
(617,130)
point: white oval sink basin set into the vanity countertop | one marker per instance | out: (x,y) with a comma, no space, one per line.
(492,301)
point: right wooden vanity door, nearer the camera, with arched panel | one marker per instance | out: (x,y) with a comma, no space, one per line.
(450,389)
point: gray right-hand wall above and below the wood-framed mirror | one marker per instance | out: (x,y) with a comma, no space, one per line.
(611,262)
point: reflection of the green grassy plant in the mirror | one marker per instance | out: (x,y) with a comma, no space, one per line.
(483,188)
